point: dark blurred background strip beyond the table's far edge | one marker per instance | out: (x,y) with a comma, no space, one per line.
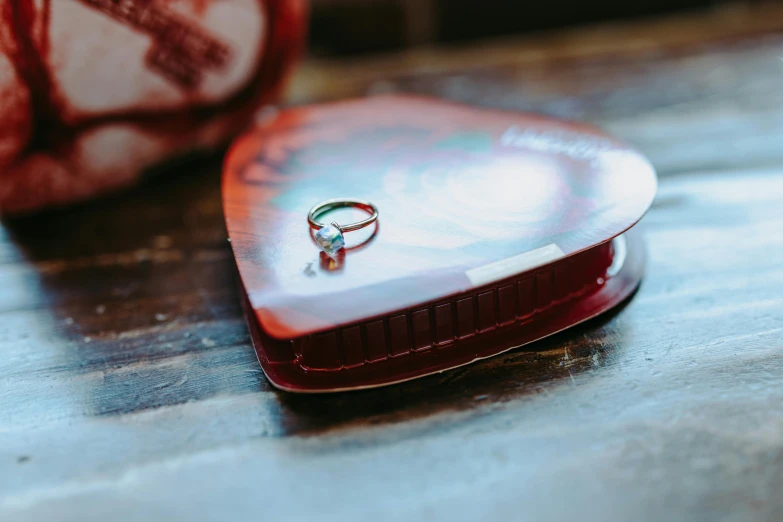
(346,27)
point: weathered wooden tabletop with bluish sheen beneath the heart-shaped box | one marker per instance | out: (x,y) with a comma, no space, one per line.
(129,389)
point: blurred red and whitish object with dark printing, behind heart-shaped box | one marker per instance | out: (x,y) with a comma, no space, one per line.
(93,92)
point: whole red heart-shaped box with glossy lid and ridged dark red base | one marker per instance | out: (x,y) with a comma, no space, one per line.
(496,229)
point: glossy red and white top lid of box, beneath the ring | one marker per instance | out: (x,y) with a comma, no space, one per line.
(466,197)
